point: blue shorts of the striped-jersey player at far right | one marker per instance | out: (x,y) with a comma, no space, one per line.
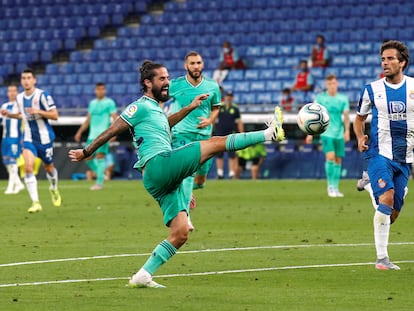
(386,174)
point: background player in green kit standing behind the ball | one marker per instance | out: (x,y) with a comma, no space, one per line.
(334,138)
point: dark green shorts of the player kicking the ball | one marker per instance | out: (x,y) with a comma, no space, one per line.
(163,176)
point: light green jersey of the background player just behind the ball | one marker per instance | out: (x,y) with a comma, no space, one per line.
(336,105)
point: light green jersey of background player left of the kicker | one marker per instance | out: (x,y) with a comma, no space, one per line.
(100,113)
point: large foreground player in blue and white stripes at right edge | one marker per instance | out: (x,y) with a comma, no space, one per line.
(390,100)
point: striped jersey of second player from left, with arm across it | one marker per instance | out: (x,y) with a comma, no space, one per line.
(36,128)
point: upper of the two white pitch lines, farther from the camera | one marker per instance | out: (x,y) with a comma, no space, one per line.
(212,250)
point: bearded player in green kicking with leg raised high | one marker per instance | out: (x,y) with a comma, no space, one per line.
(163,168)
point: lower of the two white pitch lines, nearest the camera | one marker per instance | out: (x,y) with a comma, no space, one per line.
(339,265)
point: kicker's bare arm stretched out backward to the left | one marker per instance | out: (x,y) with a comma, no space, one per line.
(117,127)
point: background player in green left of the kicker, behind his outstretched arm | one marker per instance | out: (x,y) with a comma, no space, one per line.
(100,111)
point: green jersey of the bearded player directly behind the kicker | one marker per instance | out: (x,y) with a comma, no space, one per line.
(183,93)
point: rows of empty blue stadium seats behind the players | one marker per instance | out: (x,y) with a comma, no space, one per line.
(271,35)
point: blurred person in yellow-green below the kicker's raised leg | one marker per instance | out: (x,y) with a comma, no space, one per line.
(251,158)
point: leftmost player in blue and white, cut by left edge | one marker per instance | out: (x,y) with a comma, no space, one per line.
(11,144)
